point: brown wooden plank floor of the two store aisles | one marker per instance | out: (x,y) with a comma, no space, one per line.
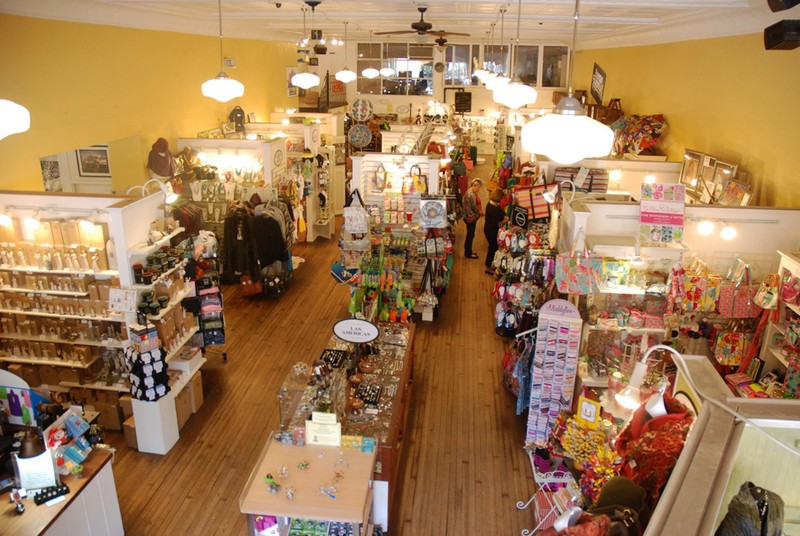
(463,466)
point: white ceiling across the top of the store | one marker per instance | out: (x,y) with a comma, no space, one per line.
(603,23)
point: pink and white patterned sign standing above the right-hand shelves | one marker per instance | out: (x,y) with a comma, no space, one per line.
(661,212)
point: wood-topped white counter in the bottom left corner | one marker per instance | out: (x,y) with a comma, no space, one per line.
(91,506)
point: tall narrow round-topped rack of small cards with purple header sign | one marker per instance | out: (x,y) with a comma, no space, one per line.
(558,335)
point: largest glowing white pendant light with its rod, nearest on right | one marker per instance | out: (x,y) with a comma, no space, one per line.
(568,135)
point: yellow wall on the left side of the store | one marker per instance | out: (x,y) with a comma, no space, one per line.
(86,84)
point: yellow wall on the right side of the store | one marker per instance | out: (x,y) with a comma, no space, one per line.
(727,97)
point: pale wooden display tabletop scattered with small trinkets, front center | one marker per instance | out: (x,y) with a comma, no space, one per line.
(353,495)
